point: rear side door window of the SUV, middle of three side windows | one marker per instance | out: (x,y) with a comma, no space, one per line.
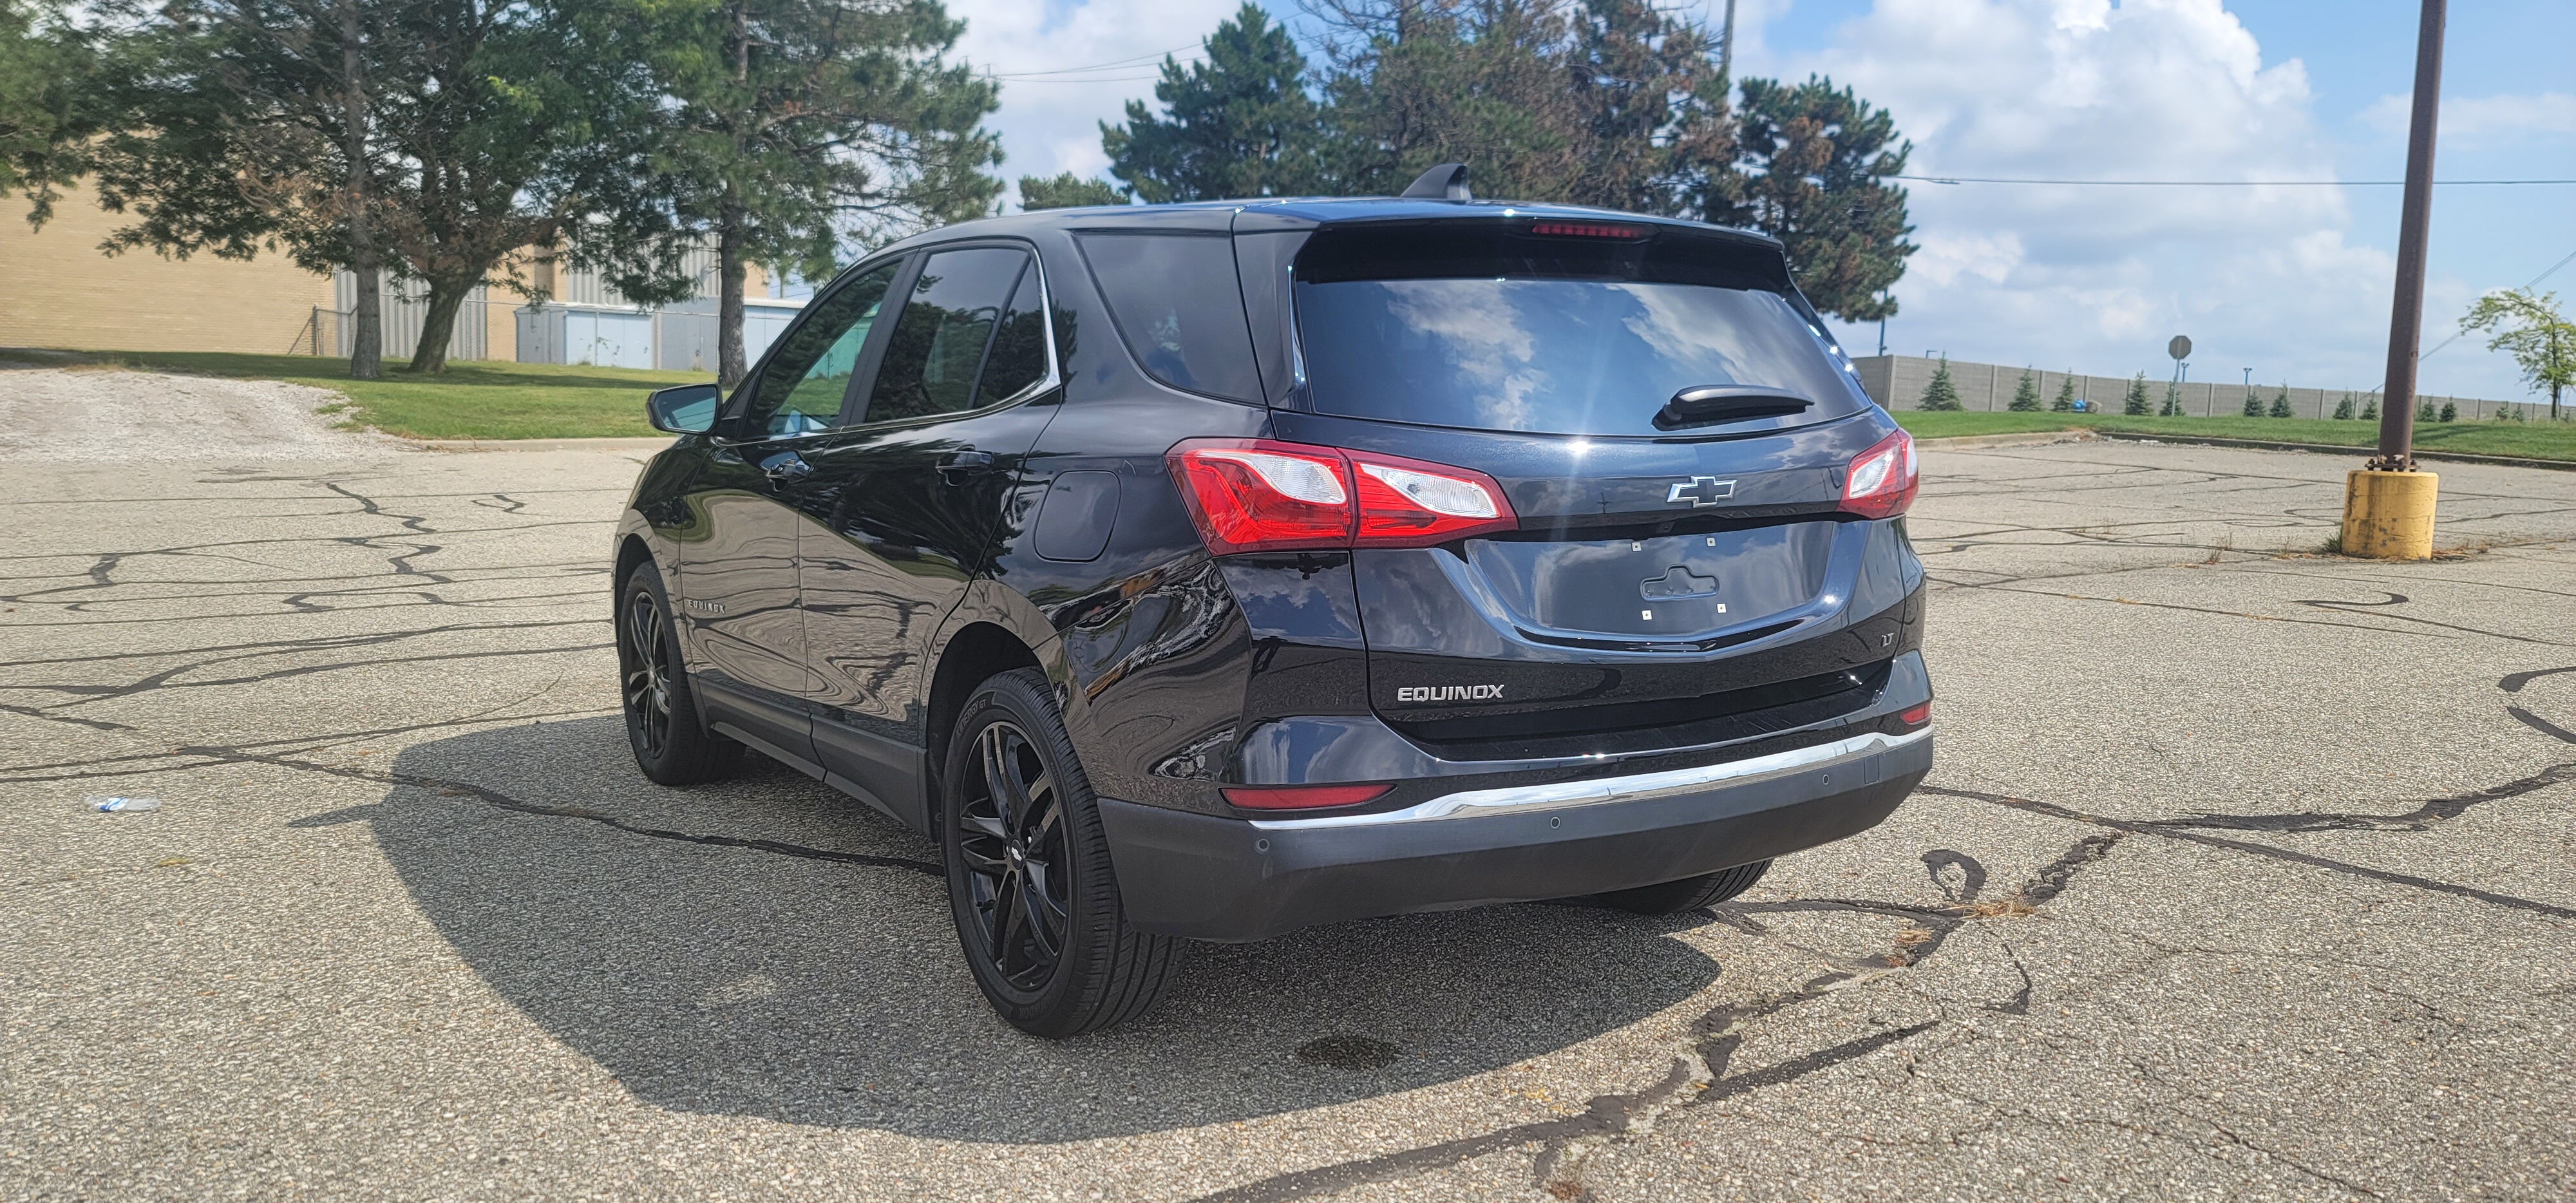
(944,334)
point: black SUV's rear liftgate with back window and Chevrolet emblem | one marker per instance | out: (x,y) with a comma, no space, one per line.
(1673,429)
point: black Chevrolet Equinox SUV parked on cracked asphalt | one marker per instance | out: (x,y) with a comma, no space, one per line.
(1215,571)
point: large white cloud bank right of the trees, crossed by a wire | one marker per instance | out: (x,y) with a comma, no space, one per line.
(2098,277)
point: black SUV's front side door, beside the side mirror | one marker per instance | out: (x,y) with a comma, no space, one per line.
(738,565)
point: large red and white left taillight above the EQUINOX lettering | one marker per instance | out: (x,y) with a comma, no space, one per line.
(1266,496)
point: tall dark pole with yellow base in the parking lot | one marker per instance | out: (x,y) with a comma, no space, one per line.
(2389,504)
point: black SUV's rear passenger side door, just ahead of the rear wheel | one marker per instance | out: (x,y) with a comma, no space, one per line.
(903,504)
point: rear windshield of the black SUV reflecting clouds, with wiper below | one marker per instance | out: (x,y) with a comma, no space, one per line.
(1570,336)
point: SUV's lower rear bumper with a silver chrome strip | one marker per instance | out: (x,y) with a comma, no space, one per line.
(1243,880)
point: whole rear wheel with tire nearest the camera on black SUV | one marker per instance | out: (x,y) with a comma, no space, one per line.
(1029,872)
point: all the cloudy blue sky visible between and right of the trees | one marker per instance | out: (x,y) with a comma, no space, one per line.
(2289,282)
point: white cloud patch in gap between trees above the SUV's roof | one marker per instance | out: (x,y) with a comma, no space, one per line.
(1052,125)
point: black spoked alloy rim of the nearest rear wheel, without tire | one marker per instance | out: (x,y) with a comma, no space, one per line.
(1011,838)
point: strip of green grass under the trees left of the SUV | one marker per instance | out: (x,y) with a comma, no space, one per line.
(470,401)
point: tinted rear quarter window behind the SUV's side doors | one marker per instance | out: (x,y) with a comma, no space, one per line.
(1179,308)
